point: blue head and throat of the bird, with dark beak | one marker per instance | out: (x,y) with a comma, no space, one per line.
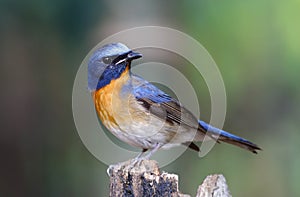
(108,63)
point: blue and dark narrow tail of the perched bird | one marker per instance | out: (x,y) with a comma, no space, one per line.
(224,136)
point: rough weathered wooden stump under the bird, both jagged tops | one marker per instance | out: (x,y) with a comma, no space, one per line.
(146,179)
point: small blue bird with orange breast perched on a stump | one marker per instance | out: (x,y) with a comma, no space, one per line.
(139,113)
